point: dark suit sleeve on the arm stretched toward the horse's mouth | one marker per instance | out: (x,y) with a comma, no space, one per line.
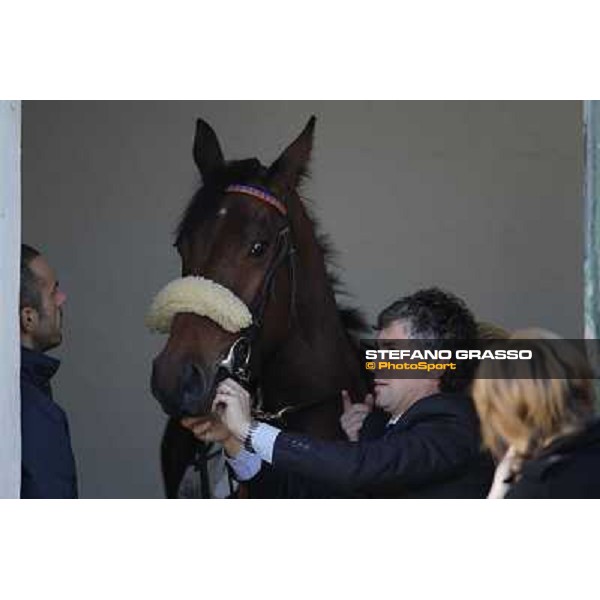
(432,449)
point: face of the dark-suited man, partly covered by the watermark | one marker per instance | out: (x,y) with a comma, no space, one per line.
(395,396)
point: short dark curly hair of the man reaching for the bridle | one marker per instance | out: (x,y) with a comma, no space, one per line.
(442,319)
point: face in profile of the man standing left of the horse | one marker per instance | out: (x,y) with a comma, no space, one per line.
(46,332)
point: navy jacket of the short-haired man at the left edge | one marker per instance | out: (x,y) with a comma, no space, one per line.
(47,463)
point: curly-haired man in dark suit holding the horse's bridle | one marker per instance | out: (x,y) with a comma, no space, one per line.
(421,441)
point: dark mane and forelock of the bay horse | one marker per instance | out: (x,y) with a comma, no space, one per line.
(247,171)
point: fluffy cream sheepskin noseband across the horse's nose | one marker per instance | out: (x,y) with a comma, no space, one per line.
(201,296)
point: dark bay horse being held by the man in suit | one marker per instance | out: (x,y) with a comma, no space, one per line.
(248,230)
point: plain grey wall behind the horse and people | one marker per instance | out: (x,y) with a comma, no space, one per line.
(483,198)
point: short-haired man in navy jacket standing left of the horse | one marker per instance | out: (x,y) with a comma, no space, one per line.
(47,464)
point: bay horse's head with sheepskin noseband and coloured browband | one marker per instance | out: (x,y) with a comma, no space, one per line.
(234,242)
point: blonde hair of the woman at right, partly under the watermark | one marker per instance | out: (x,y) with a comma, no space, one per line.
(527,404)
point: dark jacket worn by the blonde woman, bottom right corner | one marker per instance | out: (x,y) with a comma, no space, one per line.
(567,468)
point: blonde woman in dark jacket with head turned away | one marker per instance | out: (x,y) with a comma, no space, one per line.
(542,411)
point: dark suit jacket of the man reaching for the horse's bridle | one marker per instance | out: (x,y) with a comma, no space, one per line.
(433,451)
